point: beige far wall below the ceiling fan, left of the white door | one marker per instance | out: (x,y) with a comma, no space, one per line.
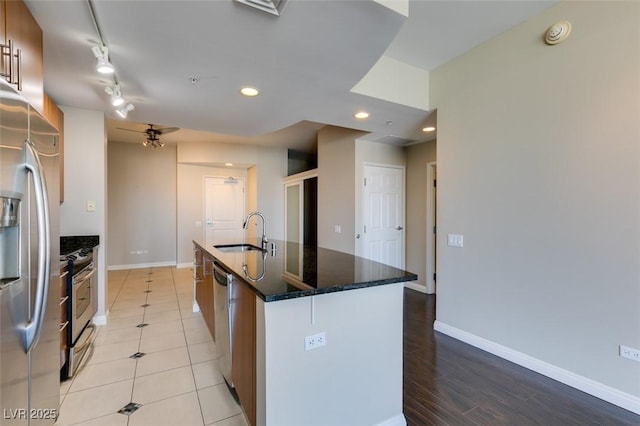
(142,205)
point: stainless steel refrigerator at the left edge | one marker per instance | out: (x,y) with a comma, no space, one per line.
(29,264)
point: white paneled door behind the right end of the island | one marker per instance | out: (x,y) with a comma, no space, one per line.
(383,224)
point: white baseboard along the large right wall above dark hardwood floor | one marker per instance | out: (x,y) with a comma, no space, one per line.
(599,390)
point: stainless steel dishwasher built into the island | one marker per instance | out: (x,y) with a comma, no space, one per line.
(223,319)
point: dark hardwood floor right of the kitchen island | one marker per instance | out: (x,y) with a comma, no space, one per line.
(448,382)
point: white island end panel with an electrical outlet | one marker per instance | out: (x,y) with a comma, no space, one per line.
(356,379)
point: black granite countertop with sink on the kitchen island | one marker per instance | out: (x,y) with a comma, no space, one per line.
(298,271)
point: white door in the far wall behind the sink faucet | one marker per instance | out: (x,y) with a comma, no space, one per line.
(224,210)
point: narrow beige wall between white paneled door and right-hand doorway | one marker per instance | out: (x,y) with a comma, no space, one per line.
(417,158)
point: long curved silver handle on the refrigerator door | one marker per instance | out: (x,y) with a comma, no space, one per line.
(31,330)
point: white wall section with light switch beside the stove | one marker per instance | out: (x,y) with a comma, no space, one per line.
(85,164)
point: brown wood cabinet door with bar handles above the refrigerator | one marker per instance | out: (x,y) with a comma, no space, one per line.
(25,34)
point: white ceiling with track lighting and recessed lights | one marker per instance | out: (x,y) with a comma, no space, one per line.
(304,62)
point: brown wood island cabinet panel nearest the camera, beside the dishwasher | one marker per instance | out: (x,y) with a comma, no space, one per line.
(243,364)
